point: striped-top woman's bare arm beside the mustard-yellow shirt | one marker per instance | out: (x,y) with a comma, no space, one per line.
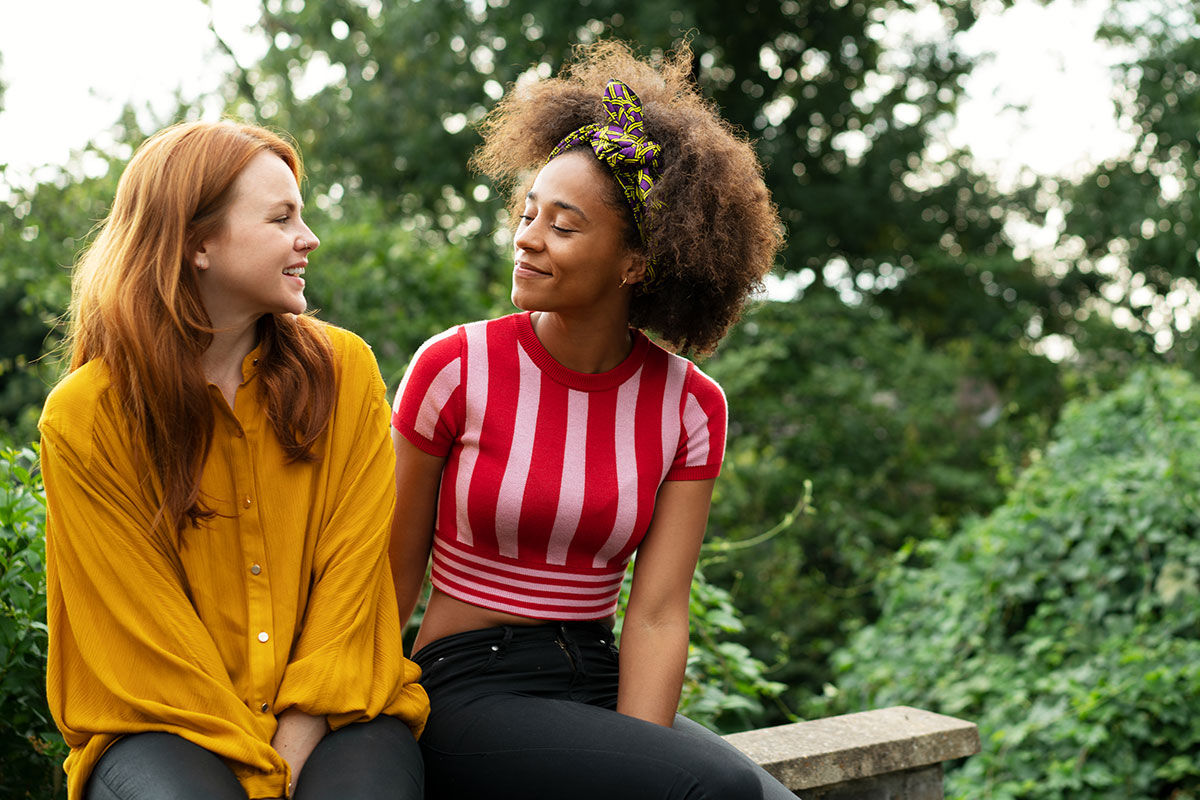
(412,527)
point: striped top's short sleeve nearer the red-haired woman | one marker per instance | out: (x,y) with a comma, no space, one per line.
(429,404)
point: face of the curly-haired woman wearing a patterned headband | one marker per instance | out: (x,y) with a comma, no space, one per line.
(571,249)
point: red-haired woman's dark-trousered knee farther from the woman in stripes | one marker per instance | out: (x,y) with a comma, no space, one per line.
(155,766)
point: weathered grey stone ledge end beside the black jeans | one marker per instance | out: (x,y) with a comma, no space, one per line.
(889,754)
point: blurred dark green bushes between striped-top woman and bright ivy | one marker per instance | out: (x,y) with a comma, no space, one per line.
(899,440)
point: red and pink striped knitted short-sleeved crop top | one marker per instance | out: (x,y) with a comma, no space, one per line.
(551,474)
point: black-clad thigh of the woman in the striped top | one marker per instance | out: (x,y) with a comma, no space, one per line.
(533,749)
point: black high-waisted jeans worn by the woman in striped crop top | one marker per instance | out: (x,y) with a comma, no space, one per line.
(530,713)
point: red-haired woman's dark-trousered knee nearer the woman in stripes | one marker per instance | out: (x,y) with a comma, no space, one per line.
(368,761)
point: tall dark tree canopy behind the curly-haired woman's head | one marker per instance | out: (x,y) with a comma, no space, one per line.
(842,122)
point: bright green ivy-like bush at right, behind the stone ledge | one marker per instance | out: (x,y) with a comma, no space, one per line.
(1067,623)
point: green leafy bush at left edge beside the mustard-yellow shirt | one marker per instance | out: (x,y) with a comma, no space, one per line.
(31,748)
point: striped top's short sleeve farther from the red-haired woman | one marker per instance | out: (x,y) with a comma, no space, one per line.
(704,419)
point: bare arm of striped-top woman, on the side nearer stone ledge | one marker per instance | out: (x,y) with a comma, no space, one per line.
(655,636)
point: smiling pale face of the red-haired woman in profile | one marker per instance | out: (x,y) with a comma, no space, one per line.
(255,263)
